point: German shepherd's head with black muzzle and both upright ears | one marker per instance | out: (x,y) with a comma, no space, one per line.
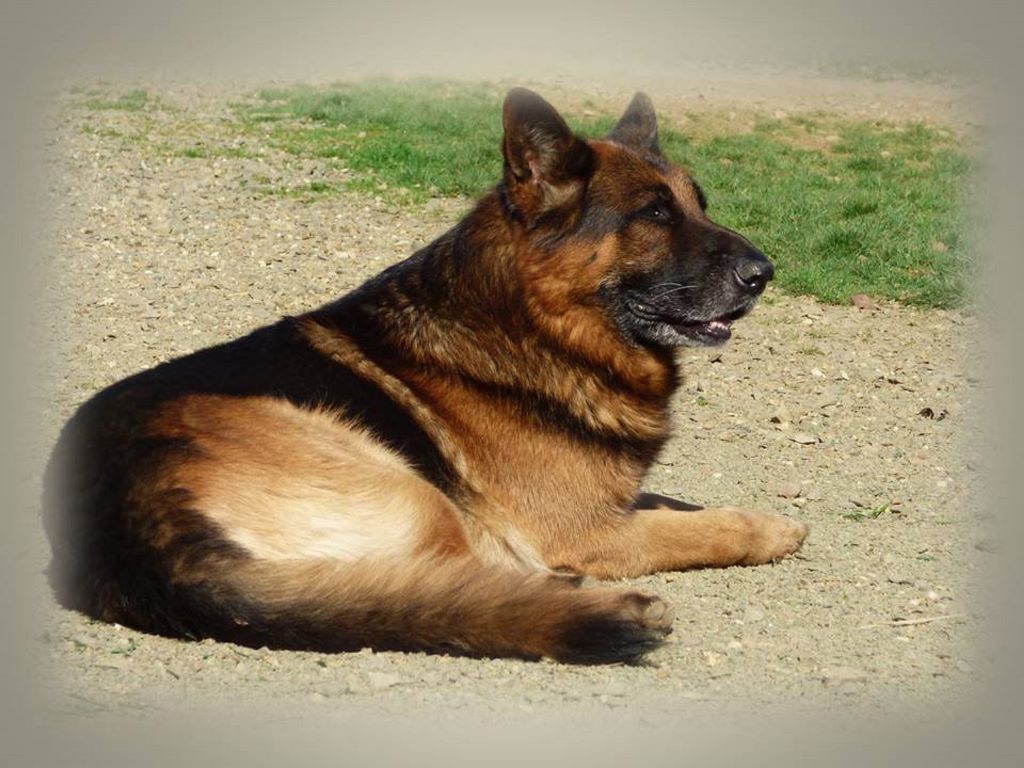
(615,229)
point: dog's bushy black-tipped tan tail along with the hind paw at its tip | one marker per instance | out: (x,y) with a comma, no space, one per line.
(440,606)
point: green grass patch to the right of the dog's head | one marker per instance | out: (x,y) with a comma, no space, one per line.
(880,212)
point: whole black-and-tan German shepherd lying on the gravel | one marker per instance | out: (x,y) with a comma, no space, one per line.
(436,461)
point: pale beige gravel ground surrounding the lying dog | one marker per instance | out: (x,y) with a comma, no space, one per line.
(858,421)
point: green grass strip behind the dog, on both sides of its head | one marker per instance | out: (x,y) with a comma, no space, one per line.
(842,206)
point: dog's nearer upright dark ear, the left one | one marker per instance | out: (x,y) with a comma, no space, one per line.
(544,160)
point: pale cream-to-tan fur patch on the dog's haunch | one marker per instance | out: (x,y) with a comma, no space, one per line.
(321,488)
